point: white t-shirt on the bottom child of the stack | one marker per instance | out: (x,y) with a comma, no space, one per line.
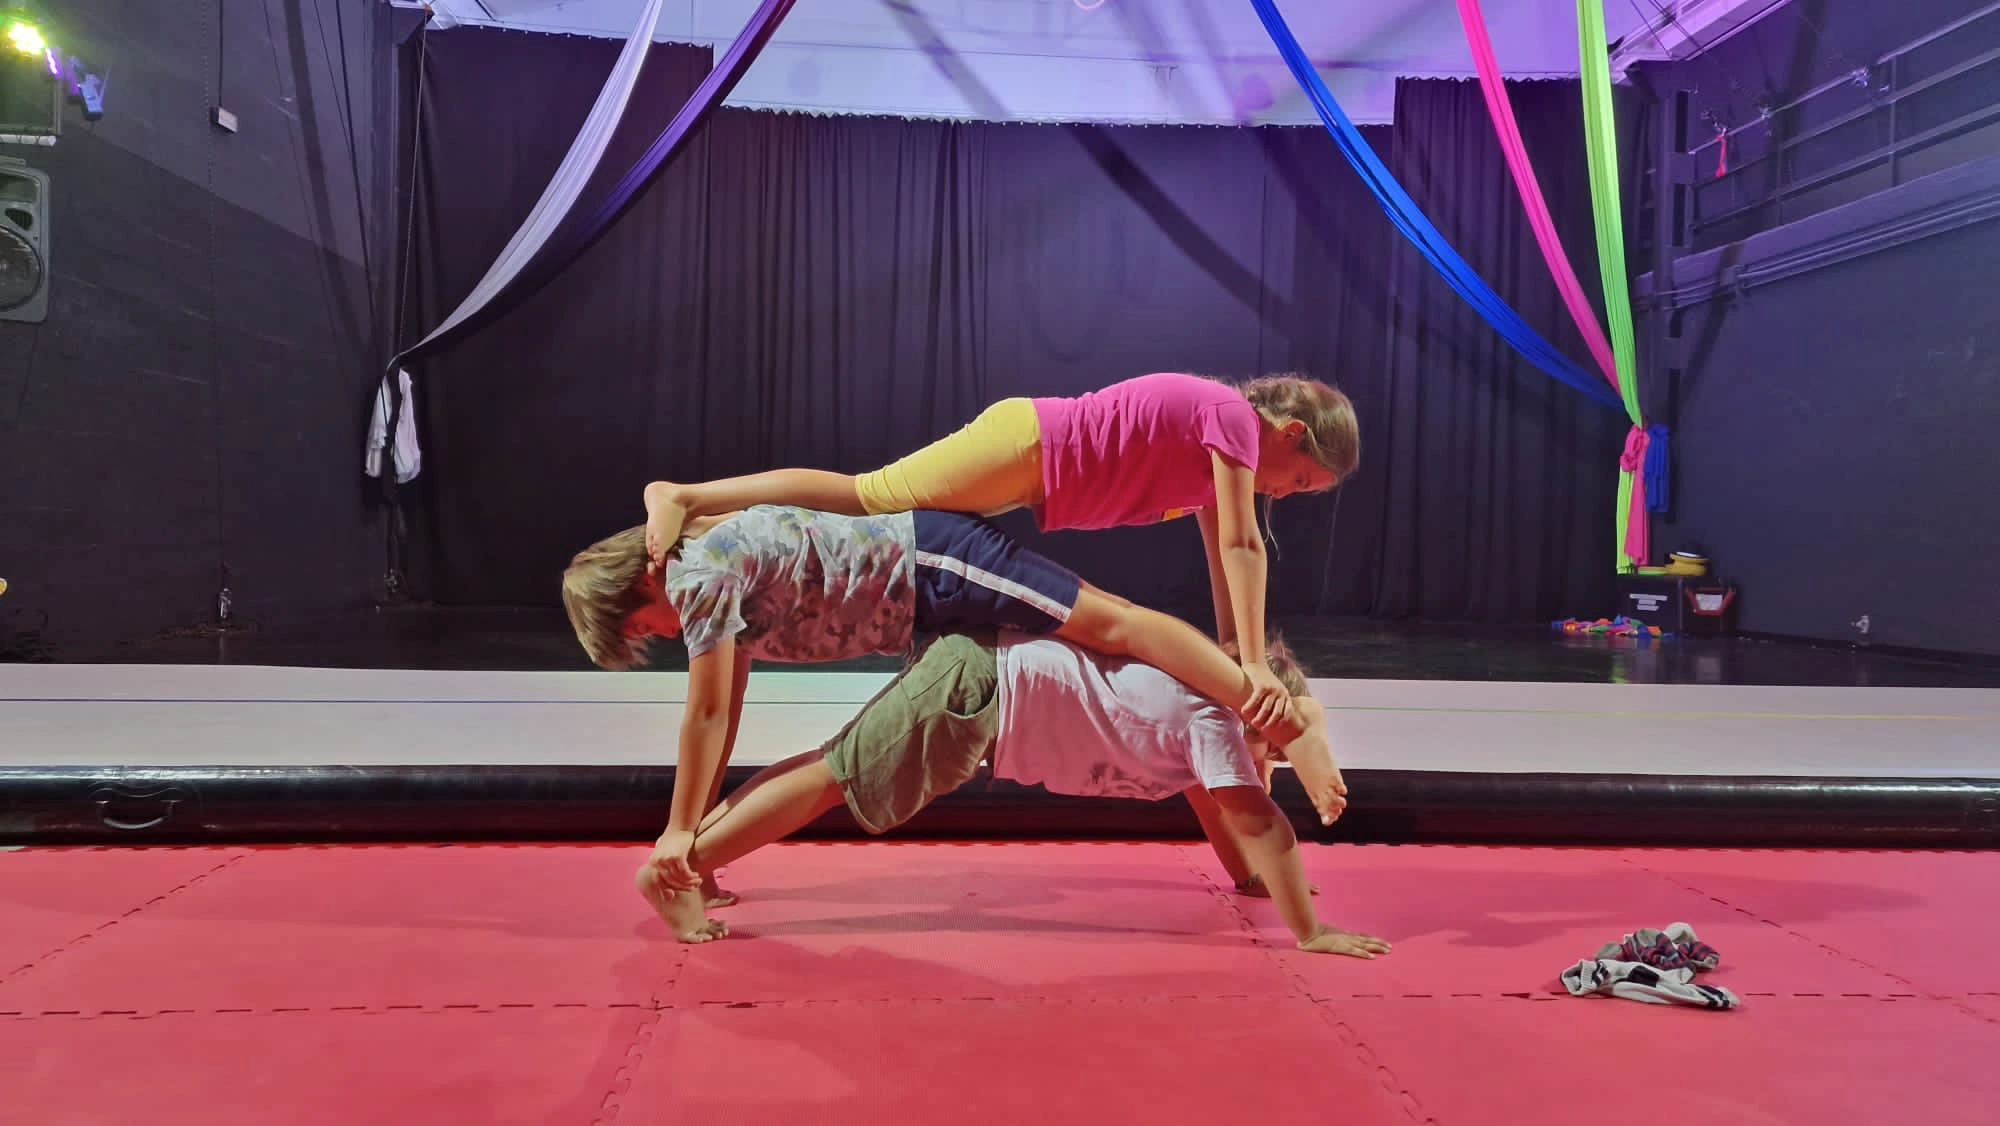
(1099,727)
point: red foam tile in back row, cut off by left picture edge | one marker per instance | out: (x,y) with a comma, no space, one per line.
(55,897)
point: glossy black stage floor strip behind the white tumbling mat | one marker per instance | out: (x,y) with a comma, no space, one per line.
(419,637)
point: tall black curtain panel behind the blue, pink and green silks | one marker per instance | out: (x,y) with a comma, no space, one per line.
(1497,483)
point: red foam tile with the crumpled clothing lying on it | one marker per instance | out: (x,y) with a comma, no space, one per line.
(1507,921)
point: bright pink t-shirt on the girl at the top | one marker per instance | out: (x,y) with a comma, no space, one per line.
(1137,453)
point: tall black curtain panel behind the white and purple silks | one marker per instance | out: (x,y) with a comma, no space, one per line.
(529,417)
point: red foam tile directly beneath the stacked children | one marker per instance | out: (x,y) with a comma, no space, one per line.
(987,921)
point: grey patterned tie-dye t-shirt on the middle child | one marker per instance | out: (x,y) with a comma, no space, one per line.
(797,585)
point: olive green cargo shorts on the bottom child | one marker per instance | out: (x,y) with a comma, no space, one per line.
(925,735)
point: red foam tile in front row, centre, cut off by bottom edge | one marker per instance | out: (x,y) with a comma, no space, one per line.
(977,1063)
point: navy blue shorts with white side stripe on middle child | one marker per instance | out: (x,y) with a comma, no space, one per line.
(971,575)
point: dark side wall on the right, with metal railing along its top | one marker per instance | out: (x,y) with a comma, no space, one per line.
(1835,447)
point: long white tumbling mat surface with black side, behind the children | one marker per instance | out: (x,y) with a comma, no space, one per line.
(165,715)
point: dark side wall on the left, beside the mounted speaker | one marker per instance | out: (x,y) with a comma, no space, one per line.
(191,413)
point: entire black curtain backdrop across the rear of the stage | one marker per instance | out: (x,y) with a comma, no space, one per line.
(839,291)
